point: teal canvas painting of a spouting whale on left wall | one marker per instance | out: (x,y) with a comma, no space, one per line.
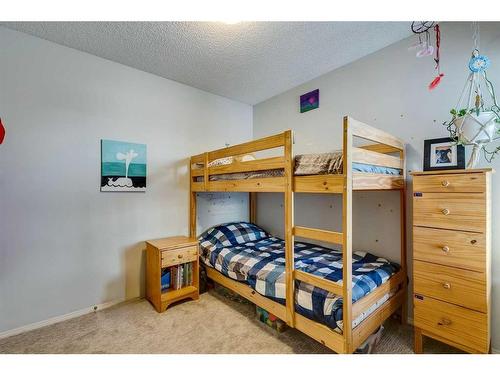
(123,166)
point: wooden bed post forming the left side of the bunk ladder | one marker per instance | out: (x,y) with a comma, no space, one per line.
(288,200)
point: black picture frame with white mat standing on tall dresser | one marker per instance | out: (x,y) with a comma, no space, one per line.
(443,153)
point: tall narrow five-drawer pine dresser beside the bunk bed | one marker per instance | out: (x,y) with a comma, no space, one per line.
(452,258)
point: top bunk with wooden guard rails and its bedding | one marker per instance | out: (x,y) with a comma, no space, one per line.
(378,164)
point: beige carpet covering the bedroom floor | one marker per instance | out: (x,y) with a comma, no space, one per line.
(214,324)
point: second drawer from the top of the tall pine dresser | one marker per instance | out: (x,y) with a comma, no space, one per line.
(458,211)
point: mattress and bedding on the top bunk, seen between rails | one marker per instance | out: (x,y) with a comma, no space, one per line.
(307,164)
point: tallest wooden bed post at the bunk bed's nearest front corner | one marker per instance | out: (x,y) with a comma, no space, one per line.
(347,238)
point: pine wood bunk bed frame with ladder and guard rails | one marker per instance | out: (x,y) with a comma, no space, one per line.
(368,167)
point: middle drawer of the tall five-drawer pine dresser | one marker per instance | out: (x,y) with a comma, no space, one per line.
(450,248)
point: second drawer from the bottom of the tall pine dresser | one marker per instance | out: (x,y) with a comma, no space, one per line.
(461,287)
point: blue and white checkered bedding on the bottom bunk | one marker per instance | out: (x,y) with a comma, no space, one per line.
(245,252)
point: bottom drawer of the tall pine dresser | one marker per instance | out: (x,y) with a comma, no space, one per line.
(457,324)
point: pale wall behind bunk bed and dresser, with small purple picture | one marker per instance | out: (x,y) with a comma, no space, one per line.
(388,90)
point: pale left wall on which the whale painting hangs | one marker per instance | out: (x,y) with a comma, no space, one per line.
(64,245)
